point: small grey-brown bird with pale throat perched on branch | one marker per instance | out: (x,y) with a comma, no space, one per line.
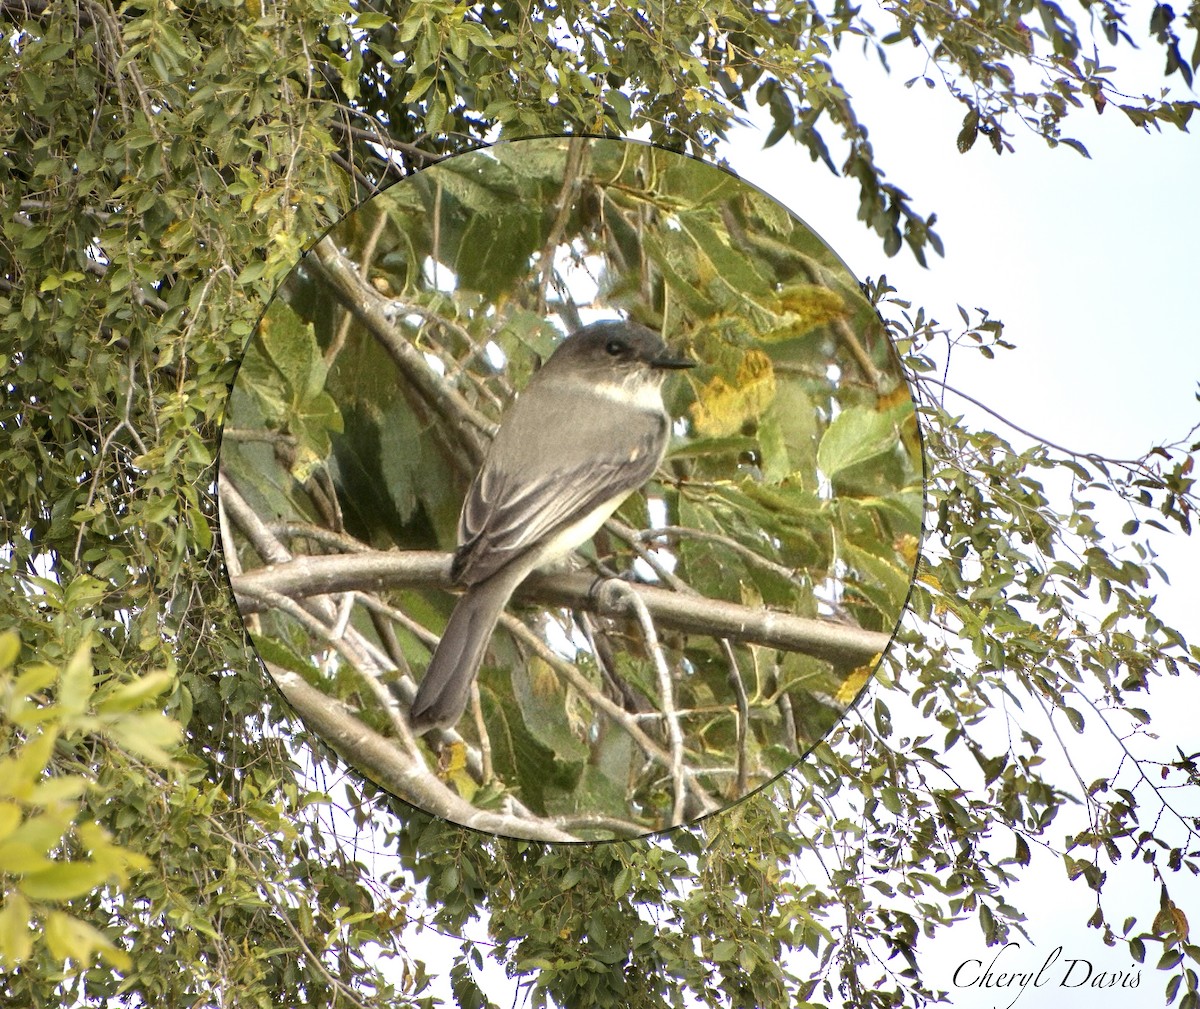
(589,430)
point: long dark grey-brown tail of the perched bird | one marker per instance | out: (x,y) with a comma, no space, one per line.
(443,694)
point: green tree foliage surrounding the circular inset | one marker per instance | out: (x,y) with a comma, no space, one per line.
(164,166)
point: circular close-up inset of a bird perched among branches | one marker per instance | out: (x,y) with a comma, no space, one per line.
(571,490)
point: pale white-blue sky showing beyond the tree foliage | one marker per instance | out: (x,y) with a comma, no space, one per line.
(1091,266)
